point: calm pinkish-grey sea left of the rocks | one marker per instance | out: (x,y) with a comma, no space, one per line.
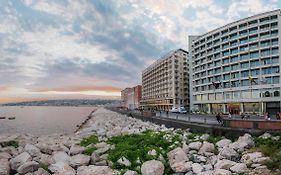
(41,120)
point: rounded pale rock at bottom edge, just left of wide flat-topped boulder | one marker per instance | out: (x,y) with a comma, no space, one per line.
(61,168)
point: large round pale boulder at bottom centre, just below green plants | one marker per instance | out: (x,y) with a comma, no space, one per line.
(152,167)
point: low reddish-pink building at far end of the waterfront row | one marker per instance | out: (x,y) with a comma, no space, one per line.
(130,97)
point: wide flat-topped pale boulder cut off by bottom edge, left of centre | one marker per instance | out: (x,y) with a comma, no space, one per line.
(95,170)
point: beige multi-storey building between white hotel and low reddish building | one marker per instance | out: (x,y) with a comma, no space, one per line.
(165,83)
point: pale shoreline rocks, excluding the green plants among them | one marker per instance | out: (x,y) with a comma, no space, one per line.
(62,154)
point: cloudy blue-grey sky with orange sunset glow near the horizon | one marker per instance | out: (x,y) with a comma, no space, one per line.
(57,49)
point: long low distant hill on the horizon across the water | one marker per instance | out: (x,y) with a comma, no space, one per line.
(73,102)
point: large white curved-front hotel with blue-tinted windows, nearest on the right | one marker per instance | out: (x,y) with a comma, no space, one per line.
(236,68)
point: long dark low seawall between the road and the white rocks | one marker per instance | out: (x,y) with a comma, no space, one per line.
(198,127)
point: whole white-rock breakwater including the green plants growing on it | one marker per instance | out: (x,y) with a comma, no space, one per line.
(111,144)
